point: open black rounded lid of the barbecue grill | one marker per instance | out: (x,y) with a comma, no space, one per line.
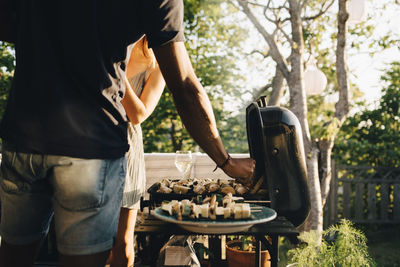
(276,143)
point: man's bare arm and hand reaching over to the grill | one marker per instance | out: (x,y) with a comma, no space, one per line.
(194,107)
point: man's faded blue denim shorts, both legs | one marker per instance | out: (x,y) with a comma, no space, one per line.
(84,195)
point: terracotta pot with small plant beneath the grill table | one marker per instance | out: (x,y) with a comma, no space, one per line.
(241,252)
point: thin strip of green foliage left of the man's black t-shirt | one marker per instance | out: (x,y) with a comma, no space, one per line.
(7,63)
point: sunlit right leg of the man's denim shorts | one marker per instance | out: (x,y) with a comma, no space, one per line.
(87,199)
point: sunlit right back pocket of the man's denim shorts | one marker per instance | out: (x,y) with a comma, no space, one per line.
(80,184)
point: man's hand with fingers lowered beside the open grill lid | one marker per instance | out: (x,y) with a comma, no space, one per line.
(241,169)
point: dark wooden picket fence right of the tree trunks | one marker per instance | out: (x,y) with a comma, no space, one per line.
(364,195)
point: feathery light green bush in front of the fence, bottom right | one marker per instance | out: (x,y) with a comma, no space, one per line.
(342,245)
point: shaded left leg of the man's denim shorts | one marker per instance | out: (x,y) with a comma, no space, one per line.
(25,195)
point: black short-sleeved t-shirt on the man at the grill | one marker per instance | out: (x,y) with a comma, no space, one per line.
(68,82)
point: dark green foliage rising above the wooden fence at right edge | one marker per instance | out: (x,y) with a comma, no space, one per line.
(370,137)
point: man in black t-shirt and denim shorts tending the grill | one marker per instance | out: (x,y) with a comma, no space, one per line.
(64,128)
